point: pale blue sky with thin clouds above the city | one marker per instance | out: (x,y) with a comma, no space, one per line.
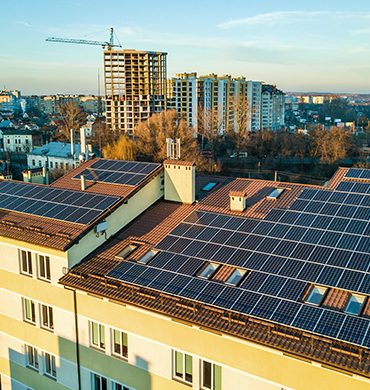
(300,46)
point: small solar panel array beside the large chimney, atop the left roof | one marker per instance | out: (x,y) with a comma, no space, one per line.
(118,172)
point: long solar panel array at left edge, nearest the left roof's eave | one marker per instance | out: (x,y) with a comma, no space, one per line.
(64,205)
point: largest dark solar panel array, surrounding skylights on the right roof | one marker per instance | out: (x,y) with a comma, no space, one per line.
(323,238)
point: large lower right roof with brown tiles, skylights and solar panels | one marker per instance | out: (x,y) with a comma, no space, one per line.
(290,271)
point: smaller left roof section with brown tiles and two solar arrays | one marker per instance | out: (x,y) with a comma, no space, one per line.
(57,215)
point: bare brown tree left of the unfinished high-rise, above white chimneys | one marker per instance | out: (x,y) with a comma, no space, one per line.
(73,117)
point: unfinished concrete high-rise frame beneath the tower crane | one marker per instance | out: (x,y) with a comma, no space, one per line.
(135,87)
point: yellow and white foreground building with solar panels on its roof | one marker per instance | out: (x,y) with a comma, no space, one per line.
(121,280)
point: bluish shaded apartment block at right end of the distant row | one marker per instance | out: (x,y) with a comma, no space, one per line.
(273,107)
